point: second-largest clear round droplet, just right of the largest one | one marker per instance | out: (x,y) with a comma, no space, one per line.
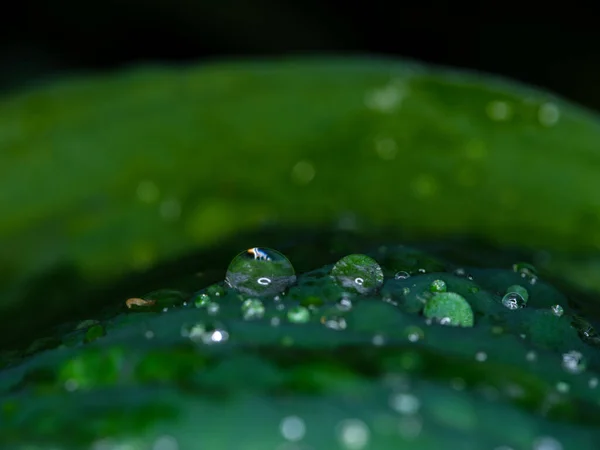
(359,273)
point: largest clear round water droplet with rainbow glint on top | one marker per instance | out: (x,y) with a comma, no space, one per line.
(260,271)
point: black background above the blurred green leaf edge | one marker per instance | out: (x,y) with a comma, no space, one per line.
(44,38)
